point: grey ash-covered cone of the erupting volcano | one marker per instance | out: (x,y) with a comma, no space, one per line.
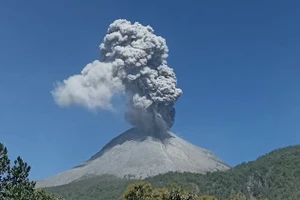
(139,155)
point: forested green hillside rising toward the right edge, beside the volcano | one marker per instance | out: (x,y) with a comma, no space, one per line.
(275,176)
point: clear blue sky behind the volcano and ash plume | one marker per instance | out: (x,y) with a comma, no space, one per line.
(236,61)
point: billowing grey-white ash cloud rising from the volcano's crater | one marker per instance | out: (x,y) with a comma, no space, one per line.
(133,62)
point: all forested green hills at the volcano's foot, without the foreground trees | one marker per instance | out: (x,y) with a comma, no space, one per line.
(275,176)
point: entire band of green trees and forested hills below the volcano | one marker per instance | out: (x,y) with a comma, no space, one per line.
(275,176)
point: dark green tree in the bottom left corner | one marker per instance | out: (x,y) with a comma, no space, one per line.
(14,182)
